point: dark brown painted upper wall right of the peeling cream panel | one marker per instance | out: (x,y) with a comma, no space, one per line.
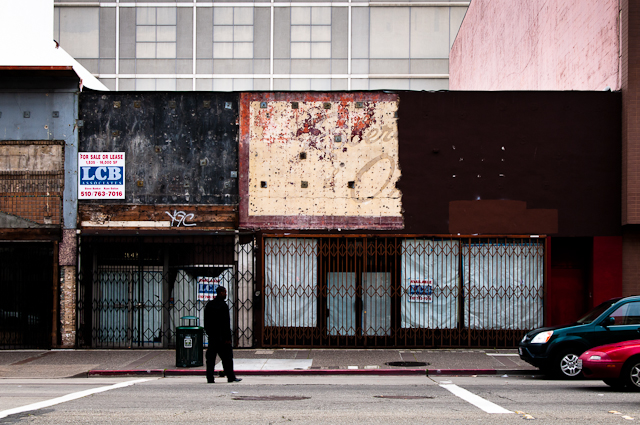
(554,151)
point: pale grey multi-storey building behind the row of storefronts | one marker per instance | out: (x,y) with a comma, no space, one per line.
(261,45)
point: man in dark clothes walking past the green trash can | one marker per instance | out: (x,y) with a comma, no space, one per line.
(217,324)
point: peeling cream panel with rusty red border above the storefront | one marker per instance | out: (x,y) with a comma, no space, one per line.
(319,161)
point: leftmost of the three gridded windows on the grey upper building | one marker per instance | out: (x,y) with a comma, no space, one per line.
(156,32)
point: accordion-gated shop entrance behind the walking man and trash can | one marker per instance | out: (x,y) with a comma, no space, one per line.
(134,290)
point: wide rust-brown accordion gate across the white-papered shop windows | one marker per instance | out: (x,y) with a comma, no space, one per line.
(401,292)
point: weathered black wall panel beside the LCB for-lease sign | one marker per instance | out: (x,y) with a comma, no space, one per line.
(181,148)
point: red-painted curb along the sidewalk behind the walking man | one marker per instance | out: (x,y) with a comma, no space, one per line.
(316,372)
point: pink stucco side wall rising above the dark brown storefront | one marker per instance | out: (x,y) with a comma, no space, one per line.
(537,45)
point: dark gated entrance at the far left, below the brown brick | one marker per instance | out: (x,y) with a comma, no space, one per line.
(26,282)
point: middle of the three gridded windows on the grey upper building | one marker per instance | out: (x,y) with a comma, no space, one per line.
(233,33)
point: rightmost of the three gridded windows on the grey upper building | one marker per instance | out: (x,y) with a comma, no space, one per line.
(310,32)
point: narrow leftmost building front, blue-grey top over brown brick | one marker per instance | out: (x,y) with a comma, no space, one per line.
(38,148)
